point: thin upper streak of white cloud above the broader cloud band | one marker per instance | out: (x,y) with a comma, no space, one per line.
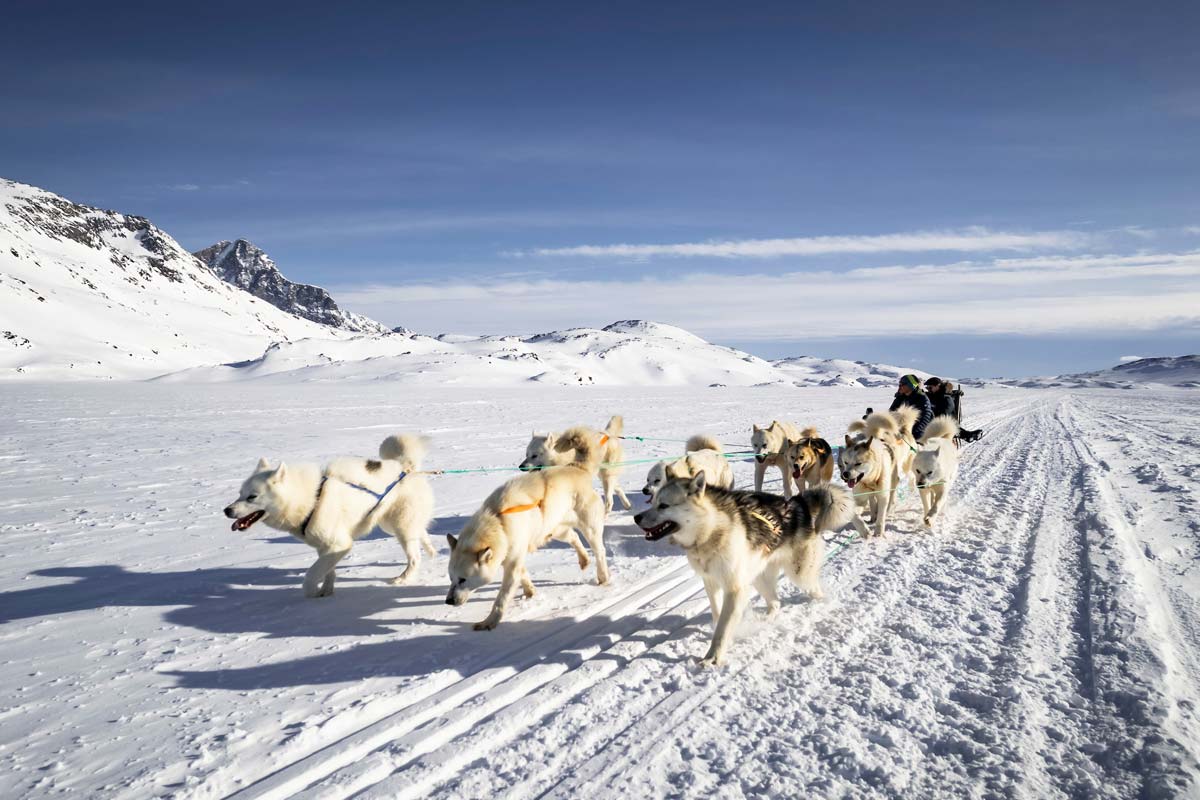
(967,240)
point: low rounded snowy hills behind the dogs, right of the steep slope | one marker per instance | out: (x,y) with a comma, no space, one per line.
(628,353)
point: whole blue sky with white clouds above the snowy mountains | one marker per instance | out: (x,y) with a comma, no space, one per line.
(1001,189)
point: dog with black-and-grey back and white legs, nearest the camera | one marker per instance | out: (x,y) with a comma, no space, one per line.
(737,540)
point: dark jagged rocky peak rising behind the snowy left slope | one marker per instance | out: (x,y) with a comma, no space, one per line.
(247,267)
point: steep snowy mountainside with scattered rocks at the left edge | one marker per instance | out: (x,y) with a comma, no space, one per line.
(88,293)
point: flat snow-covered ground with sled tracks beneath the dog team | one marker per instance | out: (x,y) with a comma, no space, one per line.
(1045,642)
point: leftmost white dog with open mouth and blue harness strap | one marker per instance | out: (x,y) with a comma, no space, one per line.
(328,509)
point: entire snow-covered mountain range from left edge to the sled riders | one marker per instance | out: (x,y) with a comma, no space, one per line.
(89,293)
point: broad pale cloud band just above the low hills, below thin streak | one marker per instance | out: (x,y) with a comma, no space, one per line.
(1034,296)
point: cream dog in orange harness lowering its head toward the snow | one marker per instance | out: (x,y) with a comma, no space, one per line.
(524,515)
